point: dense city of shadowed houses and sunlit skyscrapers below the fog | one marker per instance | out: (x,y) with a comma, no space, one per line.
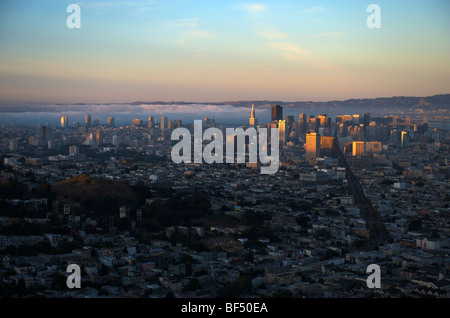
(350,191)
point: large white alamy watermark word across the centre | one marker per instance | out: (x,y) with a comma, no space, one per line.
(214,153)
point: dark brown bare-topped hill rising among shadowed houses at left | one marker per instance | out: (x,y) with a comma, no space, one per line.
(94,194)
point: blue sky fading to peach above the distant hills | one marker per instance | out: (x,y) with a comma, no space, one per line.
(222,50)
